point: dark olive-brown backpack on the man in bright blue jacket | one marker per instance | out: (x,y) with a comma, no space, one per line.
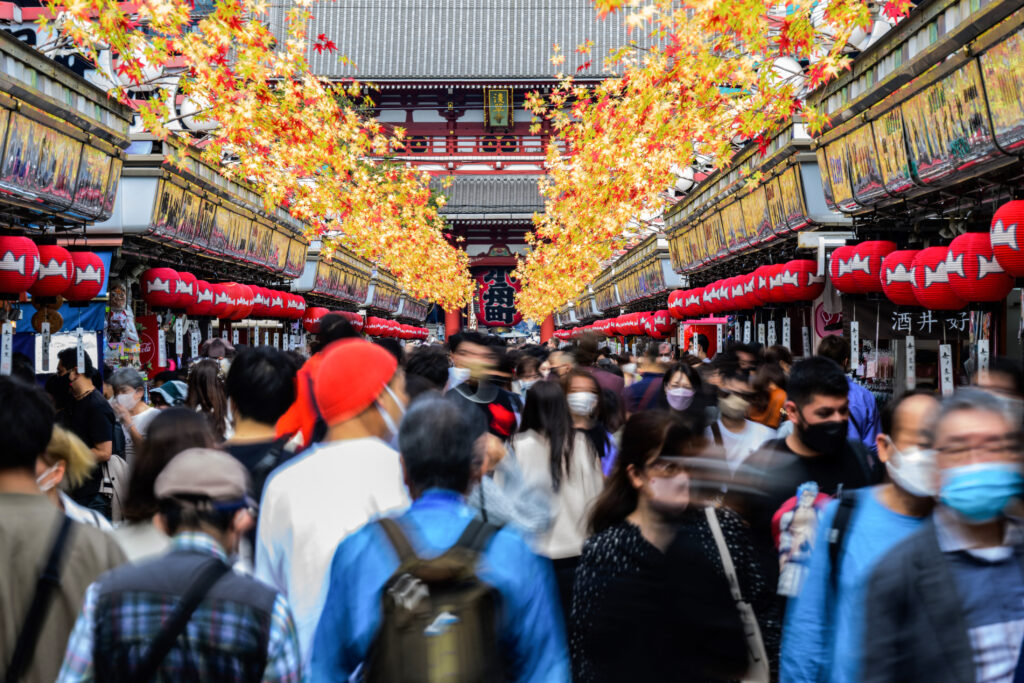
(439,620)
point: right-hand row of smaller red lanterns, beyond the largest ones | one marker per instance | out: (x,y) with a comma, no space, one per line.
(793,282)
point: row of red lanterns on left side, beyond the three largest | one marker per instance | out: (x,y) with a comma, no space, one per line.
(166,288)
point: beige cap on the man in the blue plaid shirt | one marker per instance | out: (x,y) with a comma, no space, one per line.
(205,473)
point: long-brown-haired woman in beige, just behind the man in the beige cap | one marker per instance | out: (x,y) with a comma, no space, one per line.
(175,431)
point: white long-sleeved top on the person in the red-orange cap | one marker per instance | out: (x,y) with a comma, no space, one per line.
(310,506)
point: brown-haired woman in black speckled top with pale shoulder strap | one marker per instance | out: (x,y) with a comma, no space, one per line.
(651,601)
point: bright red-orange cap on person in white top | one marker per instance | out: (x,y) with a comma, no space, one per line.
(352,376)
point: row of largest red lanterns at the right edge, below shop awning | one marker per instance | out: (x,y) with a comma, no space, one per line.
(969,271)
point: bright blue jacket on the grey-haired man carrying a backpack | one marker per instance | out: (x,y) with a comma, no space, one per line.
(531,624)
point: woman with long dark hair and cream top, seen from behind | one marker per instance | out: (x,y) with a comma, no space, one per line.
(557,458)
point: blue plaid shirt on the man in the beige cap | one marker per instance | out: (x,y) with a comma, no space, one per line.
(283,664)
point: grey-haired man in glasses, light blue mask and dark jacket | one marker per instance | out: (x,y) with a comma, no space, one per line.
(948,605)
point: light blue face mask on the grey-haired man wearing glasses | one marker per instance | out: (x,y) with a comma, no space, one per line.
(980,493)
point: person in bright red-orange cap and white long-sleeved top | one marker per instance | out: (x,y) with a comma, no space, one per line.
(315,501)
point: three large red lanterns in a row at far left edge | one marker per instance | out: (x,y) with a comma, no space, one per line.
(49,271)
